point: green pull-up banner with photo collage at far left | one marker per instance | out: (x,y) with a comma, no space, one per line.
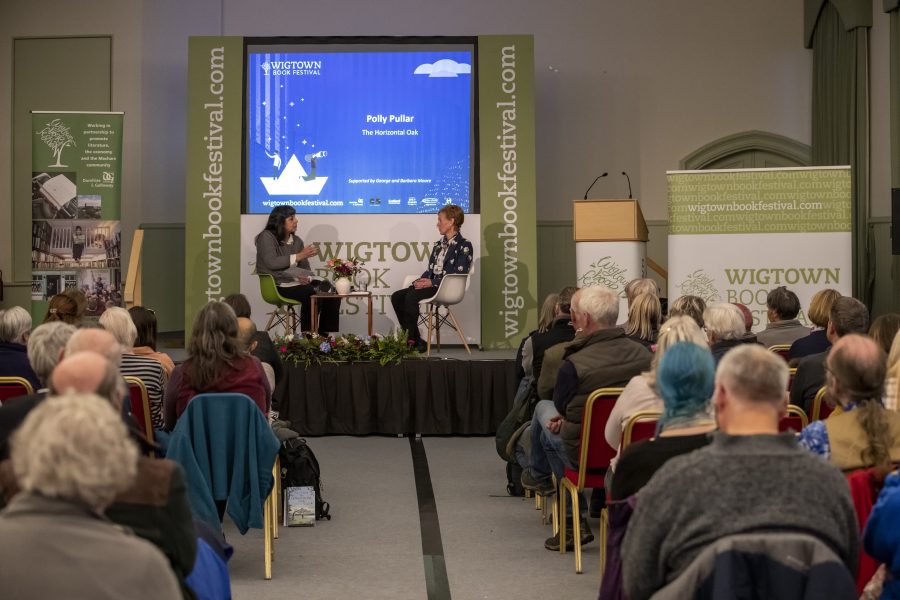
(76,236)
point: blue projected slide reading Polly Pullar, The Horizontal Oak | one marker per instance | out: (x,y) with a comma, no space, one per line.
(359,132)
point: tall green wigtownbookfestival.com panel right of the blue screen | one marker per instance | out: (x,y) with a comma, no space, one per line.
(508,199)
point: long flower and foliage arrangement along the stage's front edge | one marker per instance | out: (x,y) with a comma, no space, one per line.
(314,349)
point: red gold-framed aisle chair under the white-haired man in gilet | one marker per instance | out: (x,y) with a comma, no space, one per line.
(594,460)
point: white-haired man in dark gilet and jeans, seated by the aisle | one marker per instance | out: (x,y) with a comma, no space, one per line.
(601,357)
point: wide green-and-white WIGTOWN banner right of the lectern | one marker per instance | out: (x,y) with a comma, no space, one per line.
(736,234)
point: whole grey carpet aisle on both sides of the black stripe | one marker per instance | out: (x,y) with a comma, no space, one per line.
(492,544)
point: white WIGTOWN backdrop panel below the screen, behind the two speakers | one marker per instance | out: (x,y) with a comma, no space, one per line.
(392,246)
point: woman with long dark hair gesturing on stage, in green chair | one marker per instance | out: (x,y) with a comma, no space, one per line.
(282,254)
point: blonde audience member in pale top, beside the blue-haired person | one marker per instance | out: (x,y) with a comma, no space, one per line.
(642,393)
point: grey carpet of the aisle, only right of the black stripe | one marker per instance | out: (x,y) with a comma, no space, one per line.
(493,543)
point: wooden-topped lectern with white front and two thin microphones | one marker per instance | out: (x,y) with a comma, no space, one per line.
(610,244)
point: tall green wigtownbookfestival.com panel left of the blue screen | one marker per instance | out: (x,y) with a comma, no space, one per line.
(213,181)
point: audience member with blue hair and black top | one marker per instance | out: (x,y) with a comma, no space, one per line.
(685,380)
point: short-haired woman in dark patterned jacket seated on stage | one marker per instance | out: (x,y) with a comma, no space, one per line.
(451,254)
